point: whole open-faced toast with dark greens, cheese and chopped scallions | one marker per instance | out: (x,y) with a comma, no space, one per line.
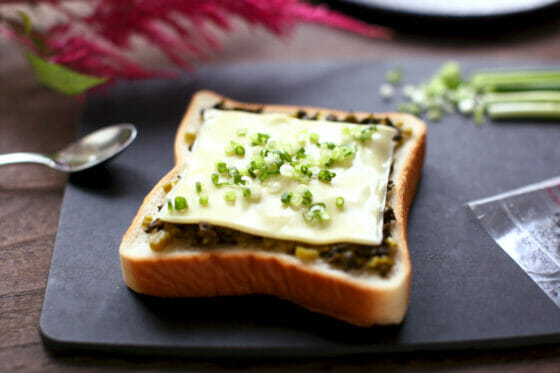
(305,204)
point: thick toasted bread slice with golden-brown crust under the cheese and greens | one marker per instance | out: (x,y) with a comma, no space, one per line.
(358,296)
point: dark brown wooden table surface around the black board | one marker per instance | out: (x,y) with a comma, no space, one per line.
(33,118)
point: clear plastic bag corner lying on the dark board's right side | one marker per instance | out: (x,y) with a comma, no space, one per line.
(526,223)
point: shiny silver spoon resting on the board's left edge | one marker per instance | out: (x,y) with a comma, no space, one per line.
(87,152)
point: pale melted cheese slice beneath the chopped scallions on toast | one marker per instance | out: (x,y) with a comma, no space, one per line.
(362,182)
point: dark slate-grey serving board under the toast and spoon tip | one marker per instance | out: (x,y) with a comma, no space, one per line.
(466,292)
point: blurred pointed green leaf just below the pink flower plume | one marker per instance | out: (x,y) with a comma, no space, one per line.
(61,78)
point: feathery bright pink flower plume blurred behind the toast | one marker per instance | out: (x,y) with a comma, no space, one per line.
(95,42)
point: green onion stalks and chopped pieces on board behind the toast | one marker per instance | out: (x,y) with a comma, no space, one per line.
(511,94)
